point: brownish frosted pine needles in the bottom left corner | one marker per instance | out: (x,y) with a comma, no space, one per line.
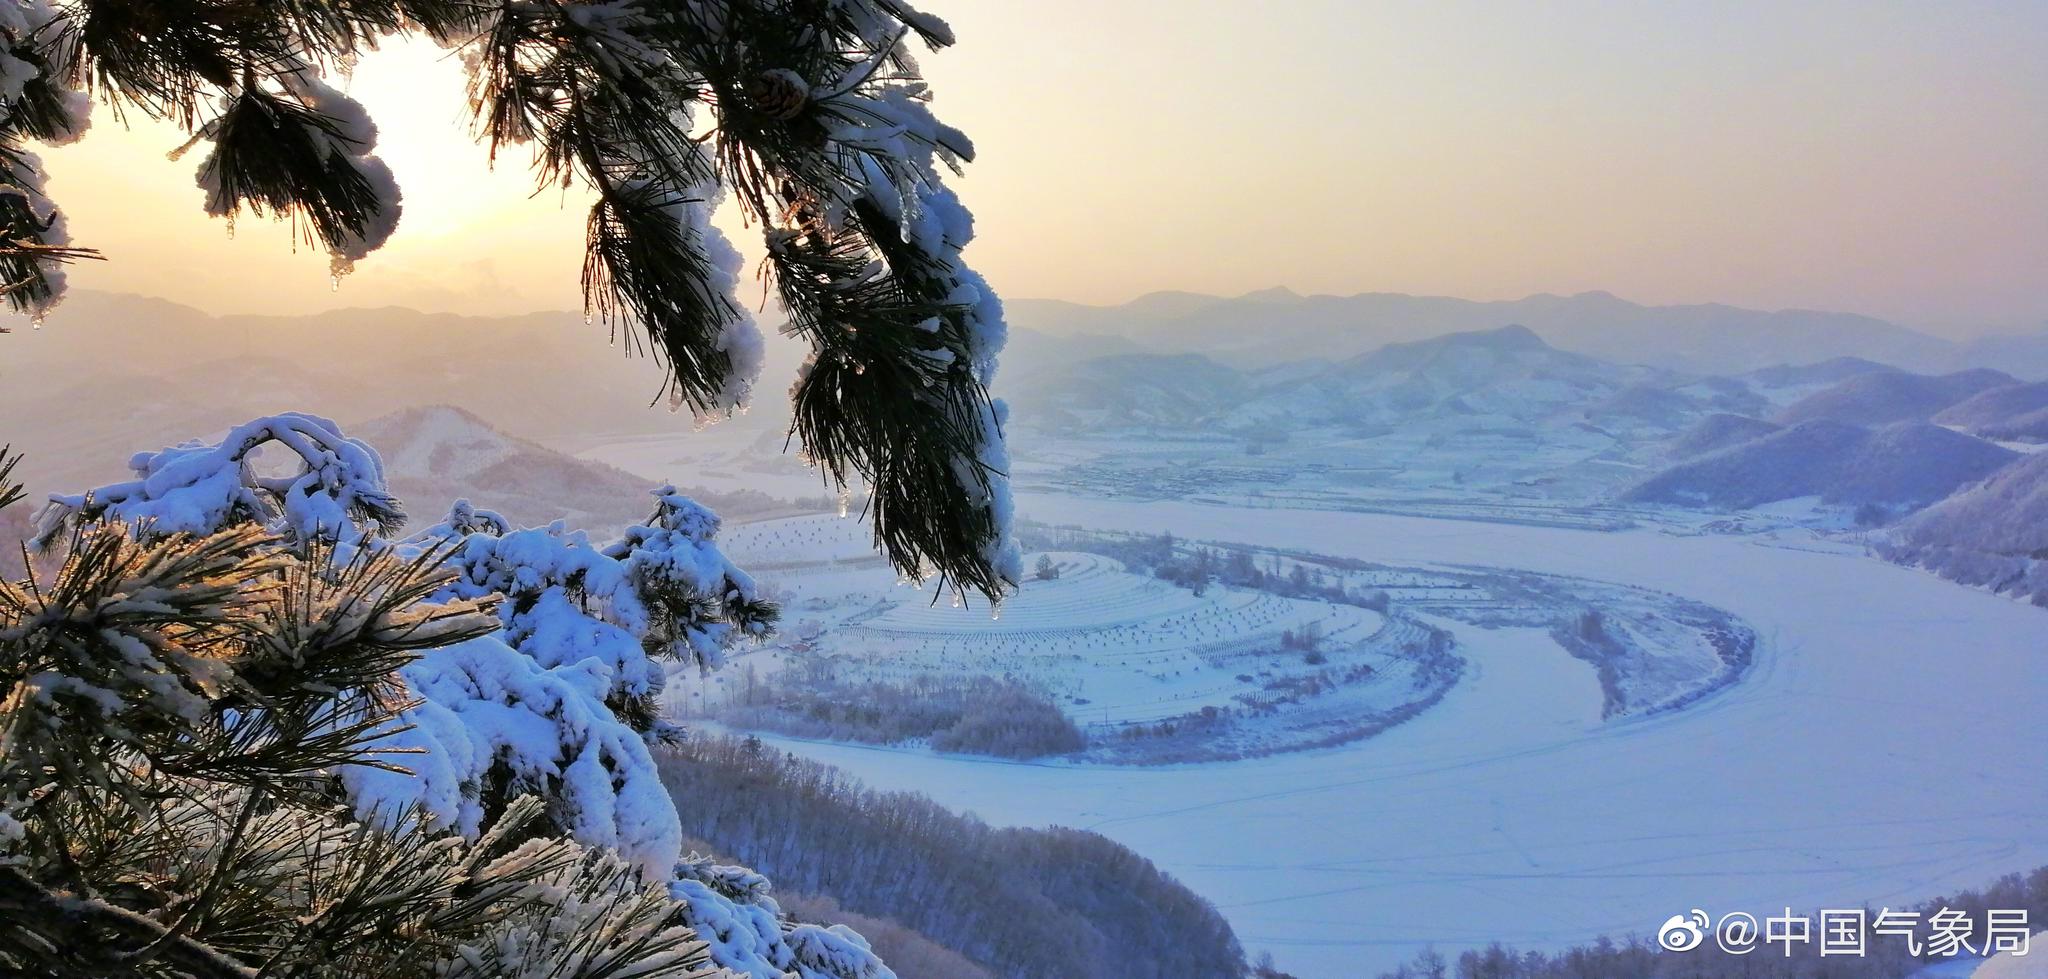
(171,716)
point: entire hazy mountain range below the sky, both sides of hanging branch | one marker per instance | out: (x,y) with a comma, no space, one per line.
(116,374)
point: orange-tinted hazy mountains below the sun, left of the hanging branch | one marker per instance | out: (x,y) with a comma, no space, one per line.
(118,374)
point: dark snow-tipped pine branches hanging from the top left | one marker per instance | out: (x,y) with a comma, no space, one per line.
(806,114)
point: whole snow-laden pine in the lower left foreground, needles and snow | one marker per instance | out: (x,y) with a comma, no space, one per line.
(253,728)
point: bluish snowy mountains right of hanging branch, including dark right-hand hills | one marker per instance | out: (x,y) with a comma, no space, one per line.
(1486,409)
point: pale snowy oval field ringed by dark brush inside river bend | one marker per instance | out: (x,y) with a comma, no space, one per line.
(1119,652)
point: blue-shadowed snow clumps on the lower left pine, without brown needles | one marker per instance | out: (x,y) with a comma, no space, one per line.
(556,704)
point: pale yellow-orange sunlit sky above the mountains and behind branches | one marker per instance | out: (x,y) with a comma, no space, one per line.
(1760,155)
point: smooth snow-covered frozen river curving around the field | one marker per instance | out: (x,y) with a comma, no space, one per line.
(1877,753)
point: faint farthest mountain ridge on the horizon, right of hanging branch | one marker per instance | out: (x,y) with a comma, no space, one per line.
(1275,325)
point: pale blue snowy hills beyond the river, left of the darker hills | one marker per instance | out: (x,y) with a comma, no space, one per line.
(1494,413)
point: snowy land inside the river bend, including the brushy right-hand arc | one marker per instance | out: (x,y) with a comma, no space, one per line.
(1156,673)
